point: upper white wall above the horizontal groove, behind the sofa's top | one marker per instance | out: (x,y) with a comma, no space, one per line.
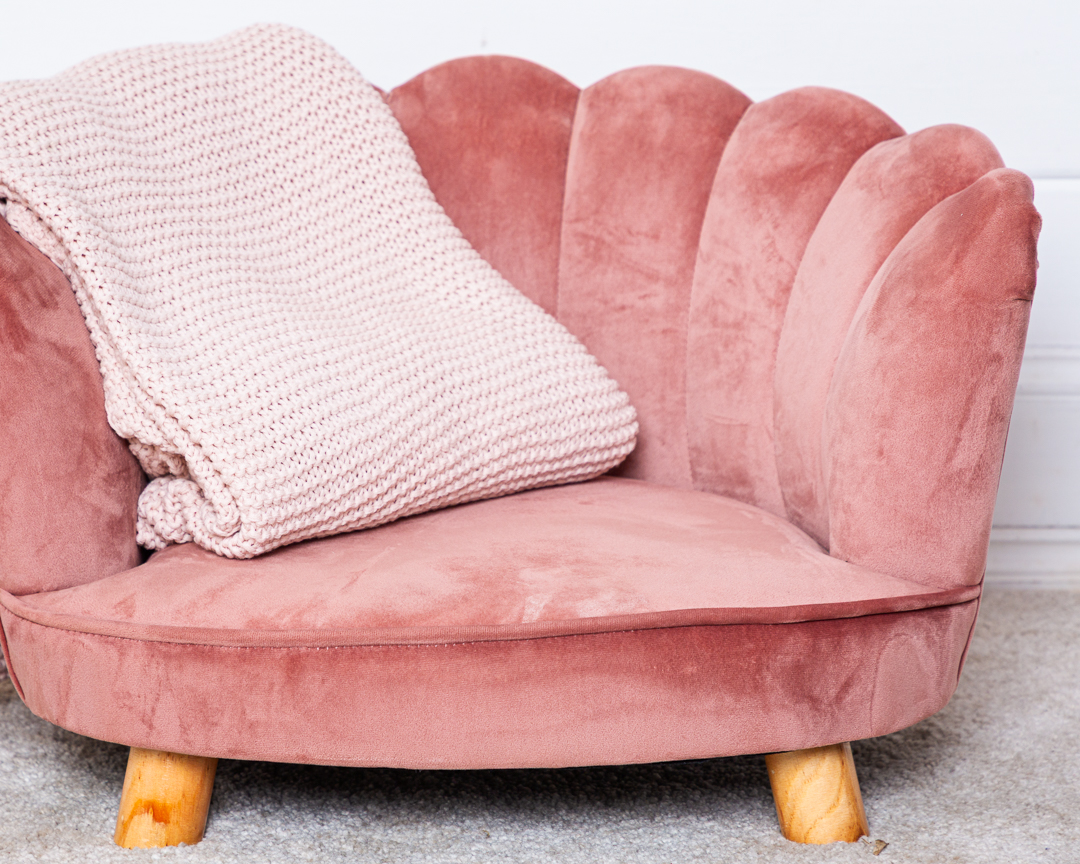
(1009,69)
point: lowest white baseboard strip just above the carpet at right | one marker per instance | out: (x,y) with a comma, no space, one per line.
(1034,558)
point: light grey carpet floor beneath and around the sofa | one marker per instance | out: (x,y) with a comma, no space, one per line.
(993,778)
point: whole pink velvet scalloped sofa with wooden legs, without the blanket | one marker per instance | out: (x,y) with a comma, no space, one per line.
(820,320)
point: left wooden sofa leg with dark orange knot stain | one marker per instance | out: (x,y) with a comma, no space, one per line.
(166,799)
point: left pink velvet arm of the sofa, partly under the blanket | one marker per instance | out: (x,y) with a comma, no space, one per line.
(69,484)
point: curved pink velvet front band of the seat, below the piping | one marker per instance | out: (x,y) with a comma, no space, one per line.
(625,696)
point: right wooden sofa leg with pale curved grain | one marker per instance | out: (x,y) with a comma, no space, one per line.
(817,795)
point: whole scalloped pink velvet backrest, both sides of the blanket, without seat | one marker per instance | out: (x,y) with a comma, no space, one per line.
(812,312)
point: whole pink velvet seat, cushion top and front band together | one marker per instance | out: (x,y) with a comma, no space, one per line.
(611,622)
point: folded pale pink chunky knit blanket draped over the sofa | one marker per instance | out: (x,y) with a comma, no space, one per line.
(294,337)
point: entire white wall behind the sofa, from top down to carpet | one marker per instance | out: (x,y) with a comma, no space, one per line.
(1011,70)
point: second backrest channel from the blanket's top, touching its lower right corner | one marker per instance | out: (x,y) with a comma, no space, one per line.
(645,147)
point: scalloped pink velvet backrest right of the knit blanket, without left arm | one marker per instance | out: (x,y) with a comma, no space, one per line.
(713,255)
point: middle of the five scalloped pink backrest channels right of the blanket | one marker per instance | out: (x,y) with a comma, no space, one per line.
(782,166)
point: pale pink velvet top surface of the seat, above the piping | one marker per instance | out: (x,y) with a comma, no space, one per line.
(543,561)
